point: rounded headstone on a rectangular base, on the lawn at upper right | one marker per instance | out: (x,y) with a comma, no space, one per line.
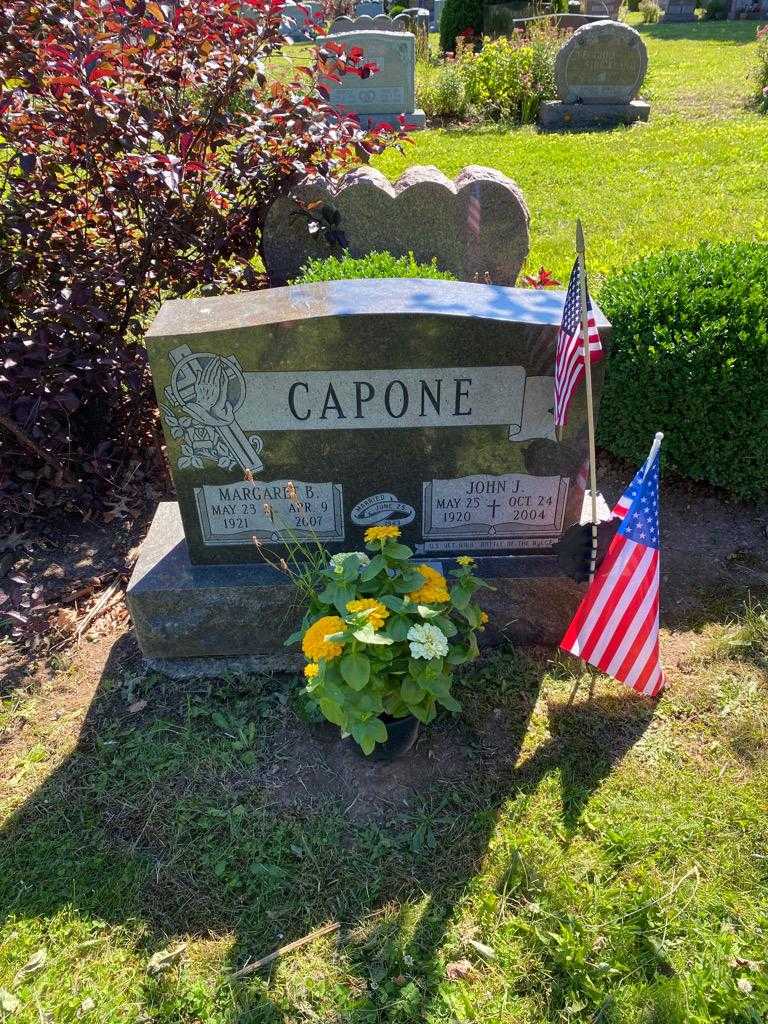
(599,75)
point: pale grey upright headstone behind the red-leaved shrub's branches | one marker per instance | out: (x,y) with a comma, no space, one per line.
(388,95)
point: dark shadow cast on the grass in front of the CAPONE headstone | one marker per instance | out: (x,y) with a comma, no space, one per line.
(219,809)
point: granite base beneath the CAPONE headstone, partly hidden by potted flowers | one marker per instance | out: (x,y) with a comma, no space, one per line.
(206,620)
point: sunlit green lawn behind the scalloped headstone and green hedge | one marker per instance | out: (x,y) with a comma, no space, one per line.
(698,170)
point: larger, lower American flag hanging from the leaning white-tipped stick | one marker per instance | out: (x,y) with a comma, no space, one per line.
(616,627)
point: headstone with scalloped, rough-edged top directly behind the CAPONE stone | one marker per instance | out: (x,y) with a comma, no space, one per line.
(475,226)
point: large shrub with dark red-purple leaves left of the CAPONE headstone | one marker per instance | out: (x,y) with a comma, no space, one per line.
(140,146)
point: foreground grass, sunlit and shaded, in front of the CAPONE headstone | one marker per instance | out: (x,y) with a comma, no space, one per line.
(535,862)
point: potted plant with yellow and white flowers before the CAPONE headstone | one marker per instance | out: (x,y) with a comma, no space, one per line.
(382,637)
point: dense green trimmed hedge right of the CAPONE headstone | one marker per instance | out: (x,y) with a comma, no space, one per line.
(691,358)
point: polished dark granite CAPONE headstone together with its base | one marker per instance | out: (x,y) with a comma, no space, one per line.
(322,410)
